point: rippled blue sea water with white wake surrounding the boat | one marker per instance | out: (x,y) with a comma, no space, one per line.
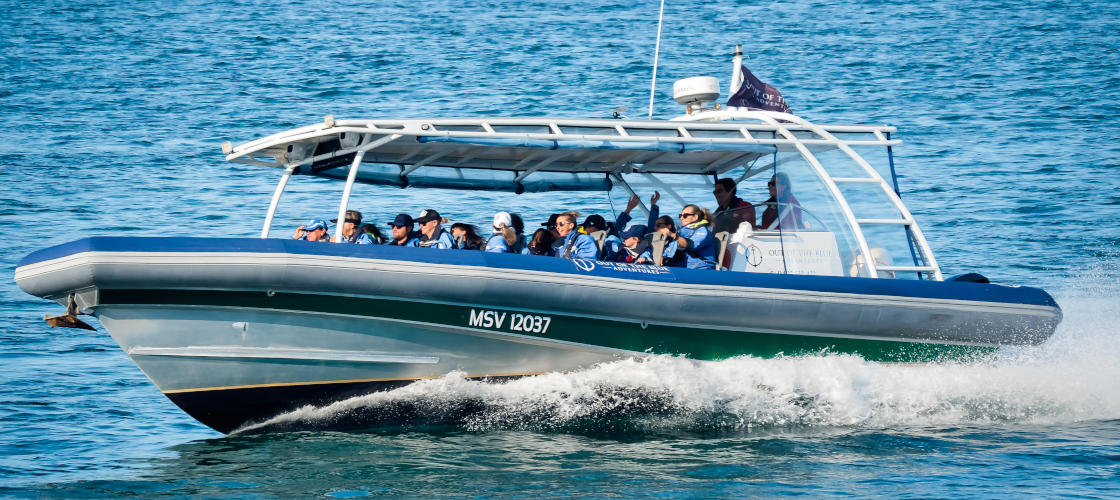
(113,118)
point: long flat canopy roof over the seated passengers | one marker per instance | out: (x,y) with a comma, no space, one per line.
(538,154)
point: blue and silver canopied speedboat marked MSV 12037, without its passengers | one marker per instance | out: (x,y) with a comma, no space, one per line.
(238,330)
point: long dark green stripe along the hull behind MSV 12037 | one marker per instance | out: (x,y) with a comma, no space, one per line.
(697,344)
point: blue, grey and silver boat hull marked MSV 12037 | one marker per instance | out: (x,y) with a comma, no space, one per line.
(236,330)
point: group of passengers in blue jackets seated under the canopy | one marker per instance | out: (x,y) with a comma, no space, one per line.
(690,245)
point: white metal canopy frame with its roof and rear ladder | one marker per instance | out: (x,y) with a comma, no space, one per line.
(557,154)
